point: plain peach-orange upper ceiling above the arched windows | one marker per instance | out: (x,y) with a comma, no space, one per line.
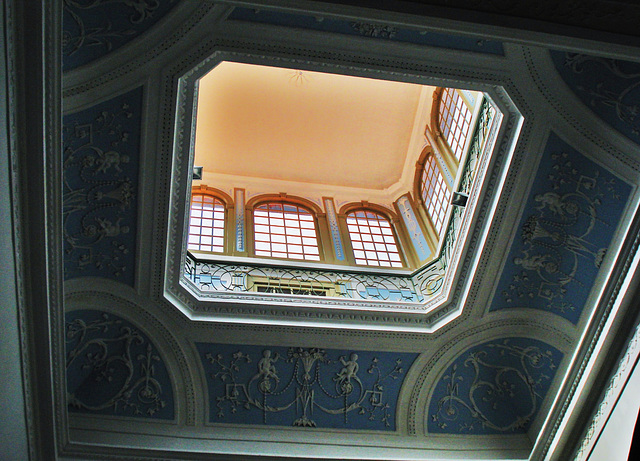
(293,125)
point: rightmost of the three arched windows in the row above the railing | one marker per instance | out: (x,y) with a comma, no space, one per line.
(372,239)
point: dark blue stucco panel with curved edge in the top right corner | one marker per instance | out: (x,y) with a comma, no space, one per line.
(611,88)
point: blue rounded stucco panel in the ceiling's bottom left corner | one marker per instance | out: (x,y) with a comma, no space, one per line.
(112,368)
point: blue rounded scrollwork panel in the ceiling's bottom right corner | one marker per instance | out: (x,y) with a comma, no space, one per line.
(493,388)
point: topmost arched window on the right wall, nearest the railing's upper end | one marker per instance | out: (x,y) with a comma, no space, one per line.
(455,119)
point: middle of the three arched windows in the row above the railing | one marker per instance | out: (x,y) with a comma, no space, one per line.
(285,230)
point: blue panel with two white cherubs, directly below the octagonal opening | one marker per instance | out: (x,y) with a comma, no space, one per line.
(303,387)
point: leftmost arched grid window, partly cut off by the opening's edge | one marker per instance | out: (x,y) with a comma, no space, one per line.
(206,224)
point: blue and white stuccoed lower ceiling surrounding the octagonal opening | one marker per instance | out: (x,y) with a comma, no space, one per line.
(137,378)
